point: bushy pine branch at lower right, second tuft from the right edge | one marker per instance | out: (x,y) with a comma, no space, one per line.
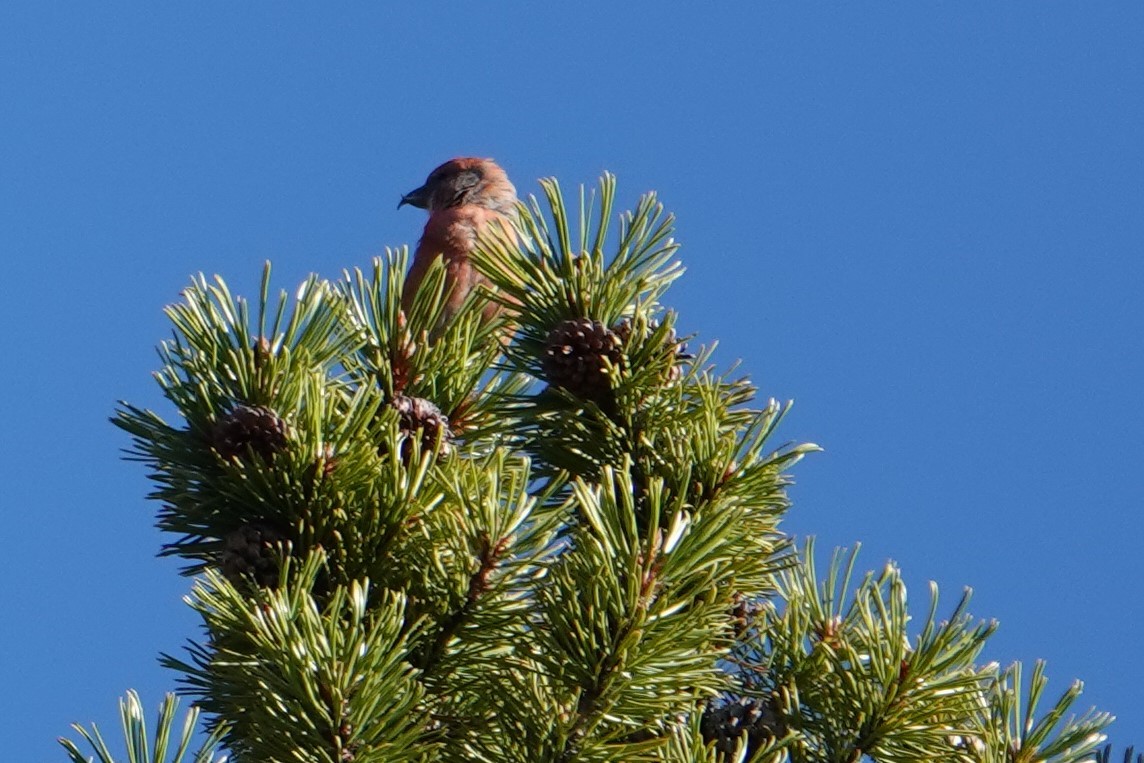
(848,680)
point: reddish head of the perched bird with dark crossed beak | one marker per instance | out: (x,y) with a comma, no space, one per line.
(463,181)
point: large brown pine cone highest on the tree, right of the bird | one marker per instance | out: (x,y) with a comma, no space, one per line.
(575,357)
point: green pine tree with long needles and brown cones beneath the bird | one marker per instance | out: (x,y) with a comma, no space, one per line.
(549,537)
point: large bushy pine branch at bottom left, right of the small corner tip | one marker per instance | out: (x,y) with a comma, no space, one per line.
(281,675)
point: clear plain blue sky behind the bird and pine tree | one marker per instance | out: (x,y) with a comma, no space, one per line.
(920,220)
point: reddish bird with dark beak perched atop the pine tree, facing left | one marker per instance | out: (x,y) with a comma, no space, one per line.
(465,197)
